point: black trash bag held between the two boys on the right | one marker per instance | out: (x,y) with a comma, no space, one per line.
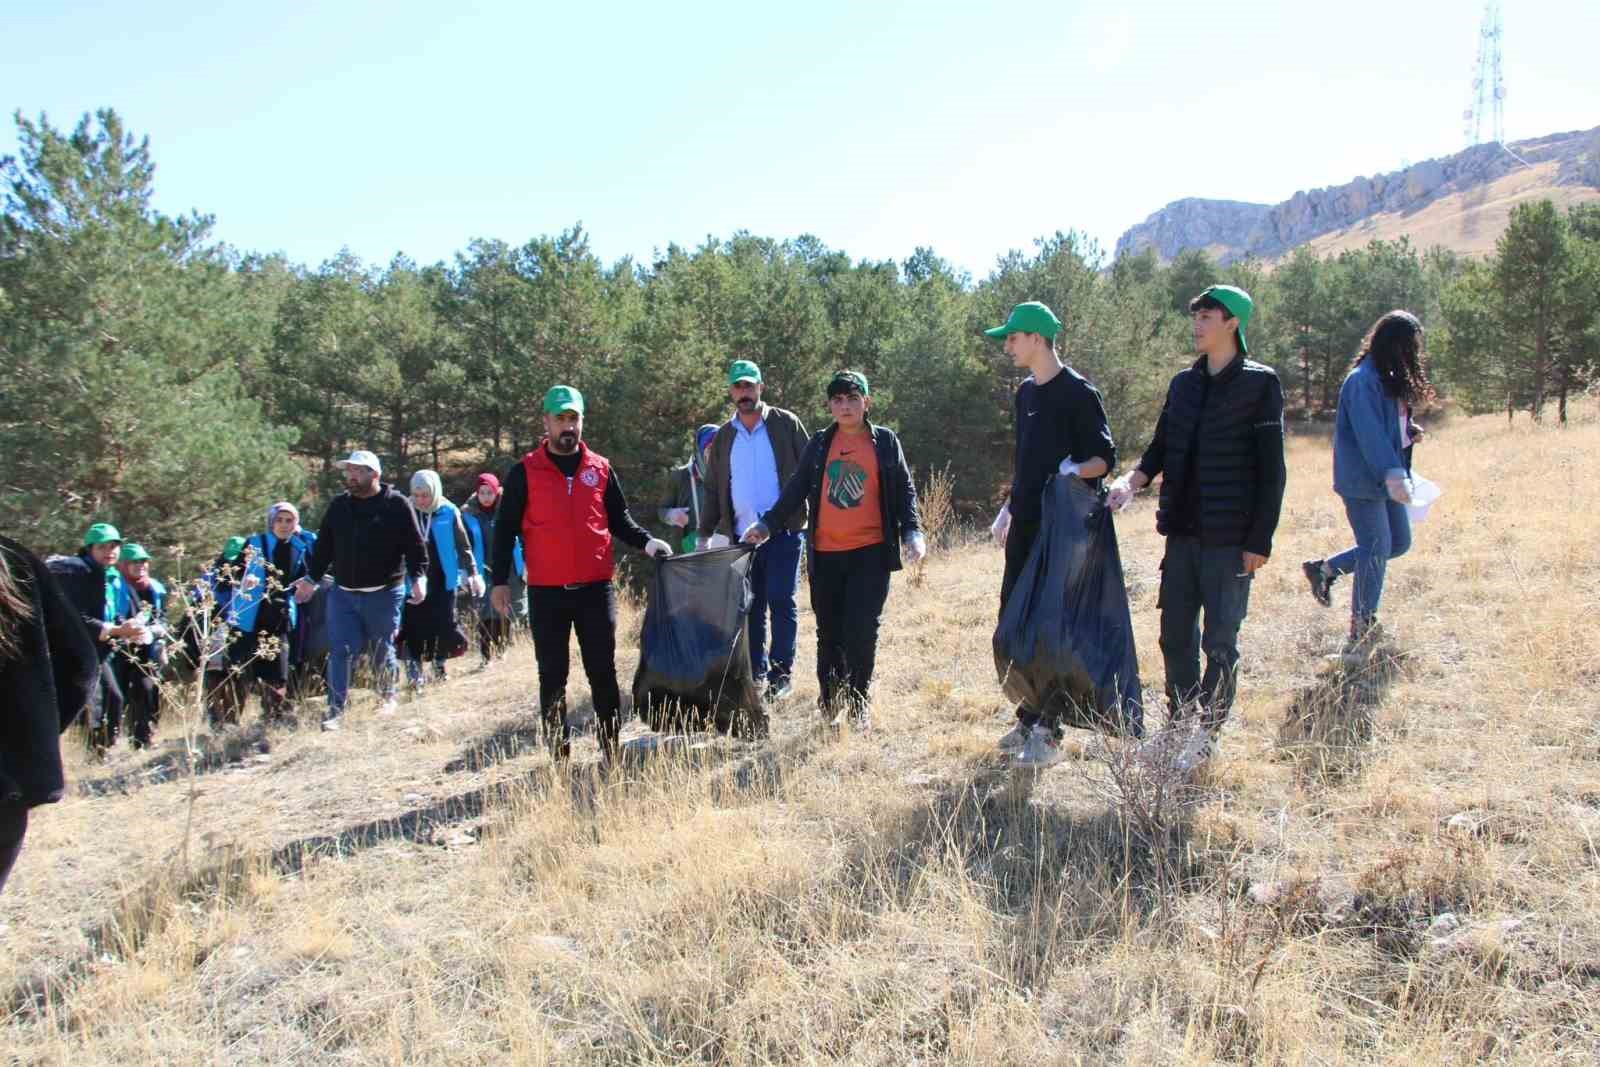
(1065,644)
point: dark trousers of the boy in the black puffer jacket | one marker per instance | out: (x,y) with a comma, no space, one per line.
(1199,580)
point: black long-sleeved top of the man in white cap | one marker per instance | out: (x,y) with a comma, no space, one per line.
(380,549)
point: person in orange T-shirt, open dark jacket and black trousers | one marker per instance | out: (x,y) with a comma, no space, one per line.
(863,508)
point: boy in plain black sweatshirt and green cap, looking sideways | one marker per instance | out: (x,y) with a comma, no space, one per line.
(1062,431)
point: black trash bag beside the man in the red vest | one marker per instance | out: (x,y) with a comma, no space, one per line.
(694,650)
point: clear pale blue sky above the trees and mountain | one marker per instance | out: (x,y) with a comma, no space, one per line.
(878,127)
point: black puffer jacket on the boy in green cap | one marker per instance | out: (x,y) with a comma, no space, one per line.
(1226,434)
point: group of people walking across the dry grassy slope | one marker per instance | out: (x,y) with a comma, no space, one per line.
(538,543)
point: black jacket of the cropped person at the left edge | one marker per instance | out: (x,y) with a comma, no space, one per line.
(42,689)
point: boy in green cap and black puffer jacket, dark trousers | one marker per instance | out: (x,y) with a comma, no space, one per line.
(1220,452)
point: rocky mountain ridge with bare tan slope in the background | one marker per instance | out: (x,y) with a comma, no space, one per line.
(1460,202)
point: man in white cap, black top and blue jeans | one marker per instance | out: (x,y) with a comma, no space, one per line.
(374,545)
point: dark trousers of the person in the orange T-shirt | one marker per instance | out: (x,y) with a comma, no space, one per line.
(847,596)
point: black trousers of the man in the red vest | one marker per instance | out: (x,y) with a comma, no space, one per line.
(556,612)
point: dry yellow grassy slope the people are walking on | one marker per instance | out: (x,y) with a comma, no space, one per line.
(1399,868)
